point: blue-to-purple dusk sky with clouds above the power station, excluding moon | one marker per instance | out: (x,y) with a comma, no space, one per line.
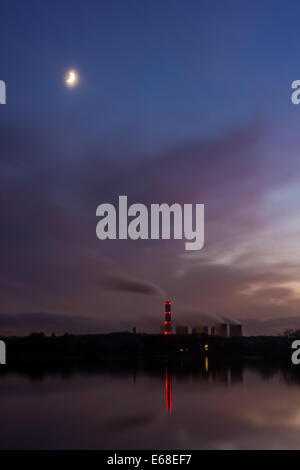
(178,101)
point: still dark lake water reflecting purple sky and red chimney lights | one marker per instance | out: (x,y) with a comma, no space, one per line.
(153,406)
